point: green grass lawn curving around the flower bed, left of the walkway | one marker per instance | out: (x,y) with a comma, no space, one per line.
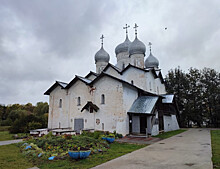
(10,158)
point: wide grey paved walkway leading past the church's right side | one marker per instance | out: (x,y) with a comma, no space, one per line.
(188,150)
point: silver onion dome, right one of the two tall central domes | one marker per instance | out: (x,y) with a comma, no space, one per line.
(137,47)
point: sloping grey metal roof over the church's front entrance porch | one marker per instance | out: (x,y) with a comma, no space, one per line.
(144,104)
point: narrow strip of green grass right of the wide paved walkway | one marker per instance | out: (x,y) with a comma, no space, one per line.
(215,135)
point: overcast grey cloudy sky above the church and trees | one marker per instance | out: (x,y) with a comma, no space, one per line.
(46,40)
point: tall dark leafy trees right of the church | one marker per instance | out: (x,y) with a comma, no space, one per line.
(198,95)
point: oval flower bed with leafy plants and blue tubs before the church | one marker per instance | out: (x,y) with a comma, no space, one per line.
(60,147)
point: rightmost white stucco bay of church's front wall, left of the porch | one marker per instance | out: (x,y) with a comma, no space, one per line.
(111,113)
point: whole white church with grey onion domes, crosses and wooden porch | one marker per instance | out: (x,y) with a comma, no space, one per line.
(129,97)
